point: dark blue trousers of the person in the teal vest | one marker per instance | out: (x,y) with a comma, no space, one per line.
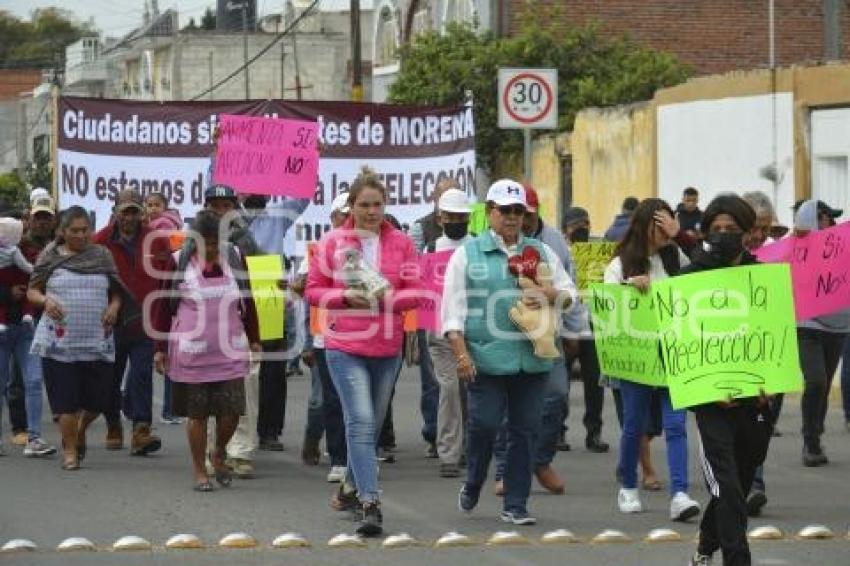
(489,398)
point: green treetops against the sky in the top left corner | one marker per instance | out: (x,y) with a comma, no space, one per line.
(40,42)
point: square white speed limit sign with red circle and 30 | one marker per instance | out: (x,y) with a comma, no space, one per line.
(528,98)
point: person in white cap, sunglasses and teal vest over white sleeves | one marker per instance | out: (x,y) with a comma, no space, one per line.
(497,361)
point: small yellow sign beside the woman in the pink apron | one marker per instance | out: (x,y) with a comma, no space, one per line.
(264,272)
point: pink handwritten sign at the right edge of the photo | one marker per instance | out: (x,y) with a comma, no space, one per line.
(820,269)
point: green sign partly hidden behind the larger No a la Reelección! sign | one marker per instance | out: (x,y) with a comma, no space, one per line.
(625,329)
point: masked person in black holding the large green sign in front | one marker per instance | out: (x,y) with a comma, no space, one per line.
(734,435)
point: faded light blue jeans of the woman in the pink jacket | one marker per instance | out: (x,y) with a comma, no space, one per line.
(365,386)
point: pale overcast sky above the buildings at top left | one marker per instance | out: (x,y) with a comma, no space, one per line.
(117,17)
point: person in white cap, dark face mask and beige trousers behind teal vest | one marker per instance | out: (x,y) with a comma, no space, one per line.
(453,217)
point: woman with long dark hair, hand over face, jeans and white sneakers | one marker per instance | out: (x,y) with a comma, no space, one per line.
(647,254)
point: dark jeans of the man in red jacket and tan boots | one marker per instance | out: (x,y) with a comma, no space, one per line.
(137,399)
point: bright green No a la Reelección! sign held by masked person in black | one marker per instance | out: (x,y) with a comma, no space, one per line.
(728,333)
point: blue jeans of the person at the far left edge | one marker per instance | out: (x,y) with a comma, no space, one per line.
(16,341)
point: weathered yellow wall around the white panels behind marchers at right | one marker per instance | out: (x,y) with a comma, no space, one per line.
(614,149)
